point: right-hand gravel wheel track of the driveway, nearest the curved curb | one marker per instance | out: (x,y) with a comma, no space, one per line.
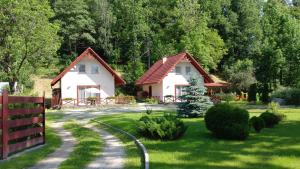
(112,156)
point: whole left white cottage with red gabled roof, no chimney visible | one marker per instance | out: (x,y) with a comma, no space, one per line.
(88,76)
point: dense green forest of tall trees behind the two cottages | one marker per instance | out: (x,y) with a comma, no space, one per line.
(245,42)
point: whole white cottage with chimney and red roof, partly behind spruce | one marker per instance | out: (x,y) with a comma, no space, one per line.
(168,76)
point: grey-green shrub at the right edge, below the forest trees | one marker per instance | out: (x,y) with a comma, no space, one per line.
(290,95)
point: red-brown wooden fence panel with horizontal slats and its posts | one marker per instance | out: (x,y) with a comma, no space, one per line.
(22,123)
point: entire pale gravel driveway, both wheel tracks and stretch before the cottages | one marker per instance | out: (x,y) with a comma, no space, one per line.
(112,156)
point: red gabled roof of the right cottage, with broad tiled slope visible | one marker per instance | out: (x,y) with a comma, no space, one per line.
(159,70)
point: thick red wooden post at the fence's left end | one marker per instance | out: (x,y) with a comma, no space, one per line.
(4,124)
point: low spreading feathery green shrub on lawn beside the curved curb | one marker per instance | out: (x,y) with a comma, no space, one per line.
(166,127)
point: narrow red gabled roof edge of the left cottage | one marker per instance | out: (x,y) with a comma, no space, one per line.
(118,79)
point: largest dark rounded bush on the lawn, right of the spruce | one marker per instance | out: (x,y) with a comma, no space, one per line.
(228,122)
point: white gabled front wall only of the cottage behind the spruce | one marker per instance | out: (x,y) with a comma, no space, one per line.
(173,79)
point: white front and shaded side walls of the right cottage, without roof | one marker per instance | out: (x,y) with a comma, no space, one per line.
(173,79)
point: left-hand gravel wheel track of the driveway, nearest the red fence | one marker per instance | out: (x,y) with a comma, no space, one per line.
(54,159)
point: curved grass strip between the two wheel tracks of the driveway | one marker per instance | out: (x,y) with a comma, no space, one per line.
(88,147)
